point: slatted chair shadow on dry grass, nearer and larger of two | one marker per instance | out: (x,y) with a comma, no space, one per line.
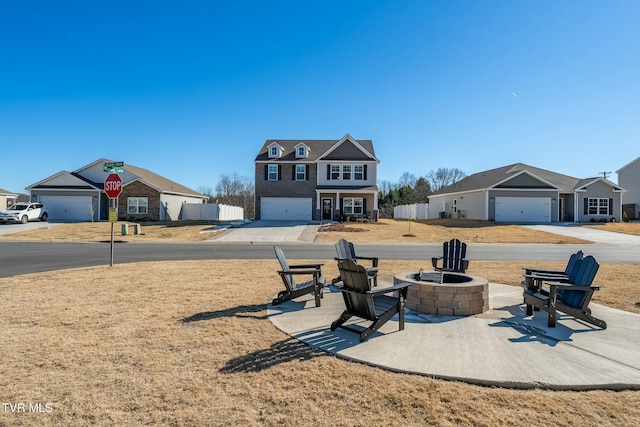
(283,351)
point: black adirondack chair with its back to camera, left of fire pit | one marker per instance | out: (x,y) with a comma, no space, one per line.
(361,301)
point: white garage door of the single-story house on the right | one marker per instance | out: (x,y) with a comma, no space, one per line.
(523,209)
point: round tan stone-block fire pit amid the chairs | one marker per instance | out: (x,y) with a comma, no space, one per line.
(445,294)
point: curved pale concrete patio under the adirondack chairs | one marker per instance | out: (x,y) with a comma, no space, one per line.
(501,347)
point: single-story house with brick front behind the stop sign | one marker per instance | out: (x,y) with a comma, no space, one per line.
(79,195)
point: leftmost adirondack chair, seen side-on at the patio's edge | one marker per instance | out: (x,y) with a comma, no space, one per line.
(293,289)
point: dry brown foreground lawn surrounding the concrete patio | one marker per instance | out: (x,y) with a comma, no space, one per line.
(188,343)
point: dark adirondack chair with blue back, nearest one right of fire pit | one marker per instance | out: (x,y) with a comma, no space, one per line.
(571,297)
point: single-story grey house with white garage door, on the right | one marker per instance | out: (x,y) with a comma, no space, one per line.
(522,193)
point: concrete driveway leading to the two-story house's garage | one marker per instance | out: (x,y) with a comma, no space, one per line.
(270,232)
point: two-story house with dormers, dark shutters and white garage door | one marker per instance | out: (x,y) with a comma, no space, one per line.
(316,180)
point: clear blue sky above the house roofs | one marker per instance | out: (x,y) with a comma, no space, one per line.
(192,89)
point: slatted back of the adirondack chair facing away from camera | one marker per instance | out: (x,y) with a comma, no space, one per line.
(355,279)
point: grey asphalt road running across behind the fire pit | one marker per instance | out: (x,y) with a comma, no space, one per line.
(31,257)
